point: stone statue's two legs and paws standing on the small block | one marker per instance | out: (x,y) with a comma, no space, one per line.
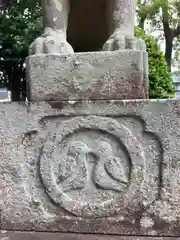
(119,14)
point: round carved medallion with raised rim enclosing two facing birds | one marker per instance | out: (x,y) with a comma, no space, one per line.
(86,165)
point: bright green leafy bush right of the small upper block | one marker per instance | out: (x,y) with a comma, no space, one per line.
(160,80)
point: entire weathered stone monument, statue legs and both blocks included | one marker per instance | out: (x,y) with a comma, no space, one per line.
(81,157)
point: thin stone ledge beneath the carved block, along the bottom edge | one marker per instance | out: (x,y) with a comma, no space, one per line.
(64,236)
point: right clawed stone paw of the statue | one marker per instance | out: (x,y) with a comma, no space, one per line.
(119,40)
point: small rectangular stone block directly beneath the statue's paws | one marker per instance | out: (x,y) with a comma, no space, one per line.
(98,75)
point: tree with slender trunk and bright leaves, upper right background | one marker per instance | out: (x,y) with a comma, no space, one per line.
(165,17)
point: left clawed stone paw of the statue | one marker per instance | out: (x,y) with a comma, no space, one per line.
(50,43)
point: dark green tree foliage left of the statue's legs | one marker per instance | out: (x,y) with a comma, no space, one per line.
(20,24)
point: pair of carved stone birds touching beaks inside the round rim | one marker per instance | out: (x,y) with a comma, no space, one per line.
(106,173)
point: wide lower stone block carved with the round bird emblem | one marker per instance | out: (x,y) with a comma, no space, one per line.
(107,167)
